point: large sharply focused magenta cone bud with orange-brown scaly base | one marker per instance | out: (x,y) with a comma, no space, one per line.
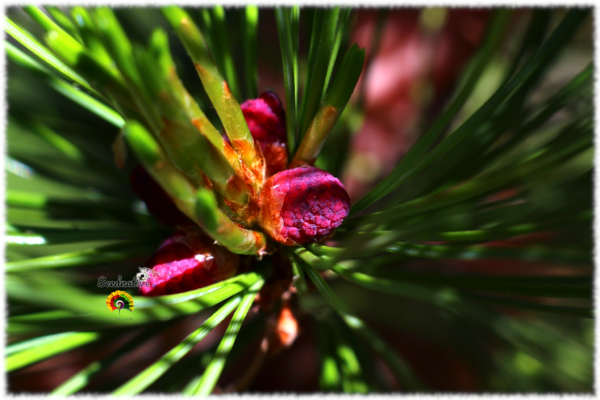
(302,205)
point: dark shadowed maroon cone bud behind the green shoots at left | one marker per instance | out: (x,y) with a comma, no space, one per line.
(156,199)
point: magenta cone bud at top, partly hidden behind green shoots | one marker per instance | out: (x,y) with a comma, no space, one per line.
(266,119)
